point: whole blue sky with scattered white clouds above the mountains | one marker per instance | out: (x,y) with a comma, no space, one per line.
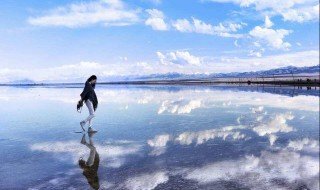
(72,39)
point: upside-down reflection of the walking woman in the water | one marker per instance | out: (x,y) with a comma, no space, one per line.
(90,167)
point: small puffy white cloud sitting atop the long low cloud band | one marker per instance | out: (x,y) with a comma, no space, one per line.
(178,57)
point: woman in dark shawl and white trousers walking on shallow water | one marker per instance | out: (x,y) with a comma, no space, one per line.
(89,96)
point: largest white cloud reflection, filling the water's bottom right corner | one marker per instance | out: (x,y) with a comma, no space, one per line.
(261,172)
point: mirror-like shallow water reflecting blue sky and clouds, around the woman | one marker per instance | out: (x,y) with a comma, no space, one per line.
(161,137)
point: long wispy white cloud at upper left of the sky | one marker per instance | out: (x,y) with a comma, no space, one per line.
(104,12)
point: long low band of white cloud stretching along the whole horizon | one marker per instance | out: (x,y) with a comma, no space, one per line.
(184,63)
